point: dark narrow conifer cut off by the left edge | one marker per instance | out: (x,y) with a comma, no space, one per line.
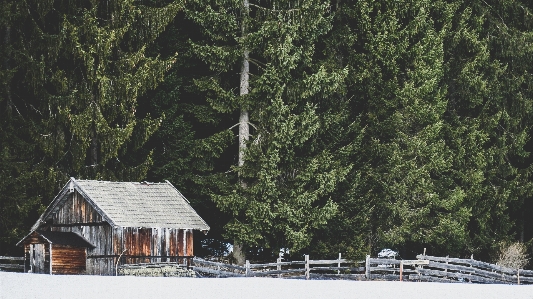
(16,148)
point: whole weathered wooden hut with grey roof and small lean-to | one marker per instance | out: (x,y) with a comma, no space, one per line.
(93,226)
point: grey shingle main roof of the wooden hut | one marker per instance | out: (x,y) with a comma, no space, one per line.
(132,204)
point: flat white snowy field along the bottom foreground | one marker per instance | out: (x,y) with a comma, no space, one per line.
(20,285)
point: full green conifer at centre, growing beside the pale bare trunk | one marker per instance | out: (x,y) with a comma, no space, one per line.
(280,193)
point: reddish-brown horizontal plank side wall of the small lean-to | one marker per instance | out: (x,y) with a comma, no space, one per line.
(68,260)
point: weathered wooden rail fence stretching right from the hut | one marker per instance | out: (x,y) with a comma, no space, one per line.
(424,268)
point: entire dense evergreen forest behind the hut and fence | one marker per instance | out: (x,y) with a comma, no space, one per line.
(303,126)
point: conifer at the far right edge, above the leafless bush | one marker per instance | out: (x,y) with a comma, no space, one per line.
(489,75)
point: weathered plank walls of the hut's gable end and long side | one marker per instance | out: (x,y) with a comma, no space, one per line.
(164,244)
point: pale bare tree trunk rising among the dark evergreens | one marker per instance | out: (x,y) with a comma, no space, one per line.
(244,131)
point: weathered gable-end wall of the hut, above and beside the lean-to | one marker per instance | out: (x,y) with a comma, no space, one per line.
(91,226)
